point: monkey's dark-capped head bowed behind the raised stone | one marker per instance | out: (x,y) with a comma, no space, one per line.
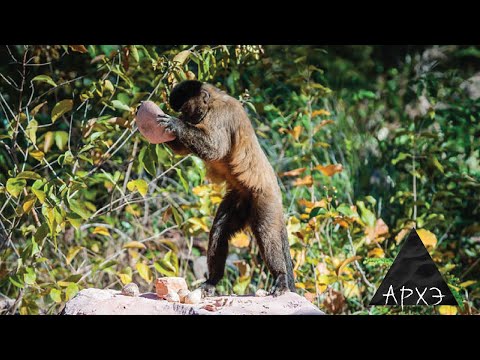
(191,98)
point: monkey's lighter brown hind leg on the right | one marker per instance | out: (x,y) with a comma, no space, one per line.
(267,224)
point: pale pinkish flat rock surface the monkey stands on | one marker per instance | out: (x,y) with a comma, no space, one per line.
(112,302)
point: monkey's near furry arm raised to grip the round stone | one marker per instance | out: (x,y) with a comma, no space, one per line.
(207,146)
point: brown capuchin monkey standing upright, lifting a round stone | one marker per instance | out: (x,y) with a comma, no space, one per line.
(215,127)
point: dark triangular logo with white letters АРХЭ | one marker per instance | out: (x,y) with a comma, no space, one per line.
(413,279)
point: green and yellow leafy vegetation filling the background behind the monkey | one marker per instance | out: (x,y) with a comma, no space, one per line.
(366,140)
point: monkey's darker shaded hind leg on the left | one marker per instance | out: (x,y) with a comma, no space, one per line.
(231,217)
